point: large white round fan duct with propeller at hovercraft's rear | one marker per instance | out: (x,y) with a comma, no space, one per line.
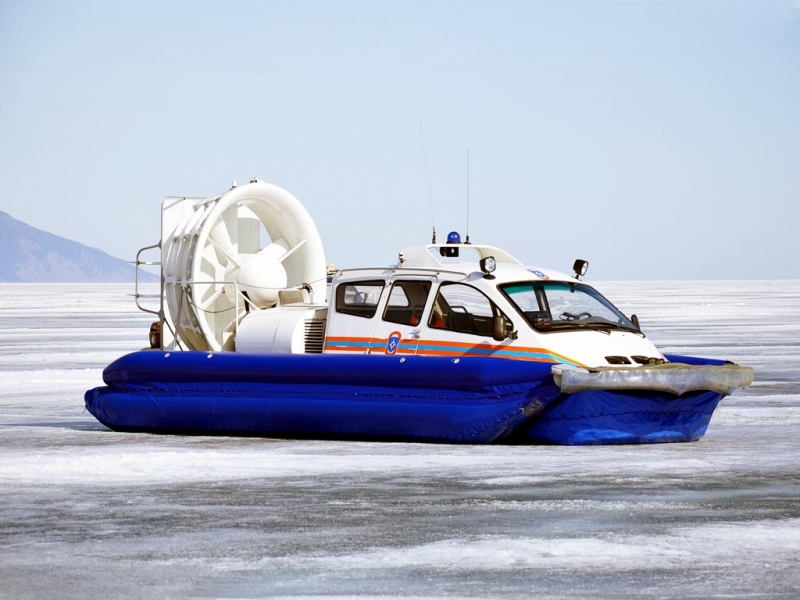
(203,260)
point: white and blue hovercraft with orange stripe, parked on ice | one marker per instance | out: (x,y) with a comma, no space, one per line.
(457,343)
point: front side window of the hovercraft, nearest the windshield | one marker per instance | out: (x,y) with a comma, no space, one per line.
(462,308)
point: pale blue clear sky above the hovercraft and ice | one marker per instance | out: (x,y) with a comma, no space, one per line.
(657,139)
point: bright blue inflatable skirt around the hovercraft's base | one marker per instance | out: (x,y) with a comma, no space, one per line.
(412,398)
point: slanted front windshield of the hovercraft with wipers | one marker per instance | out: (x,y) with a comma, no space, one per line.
(550,305)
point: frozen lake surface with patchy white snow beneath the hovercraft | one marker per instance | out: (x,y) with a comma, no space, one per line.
(86,512)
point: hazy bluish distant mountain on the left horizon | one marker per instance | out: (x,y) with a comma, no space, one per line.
(30,255)
